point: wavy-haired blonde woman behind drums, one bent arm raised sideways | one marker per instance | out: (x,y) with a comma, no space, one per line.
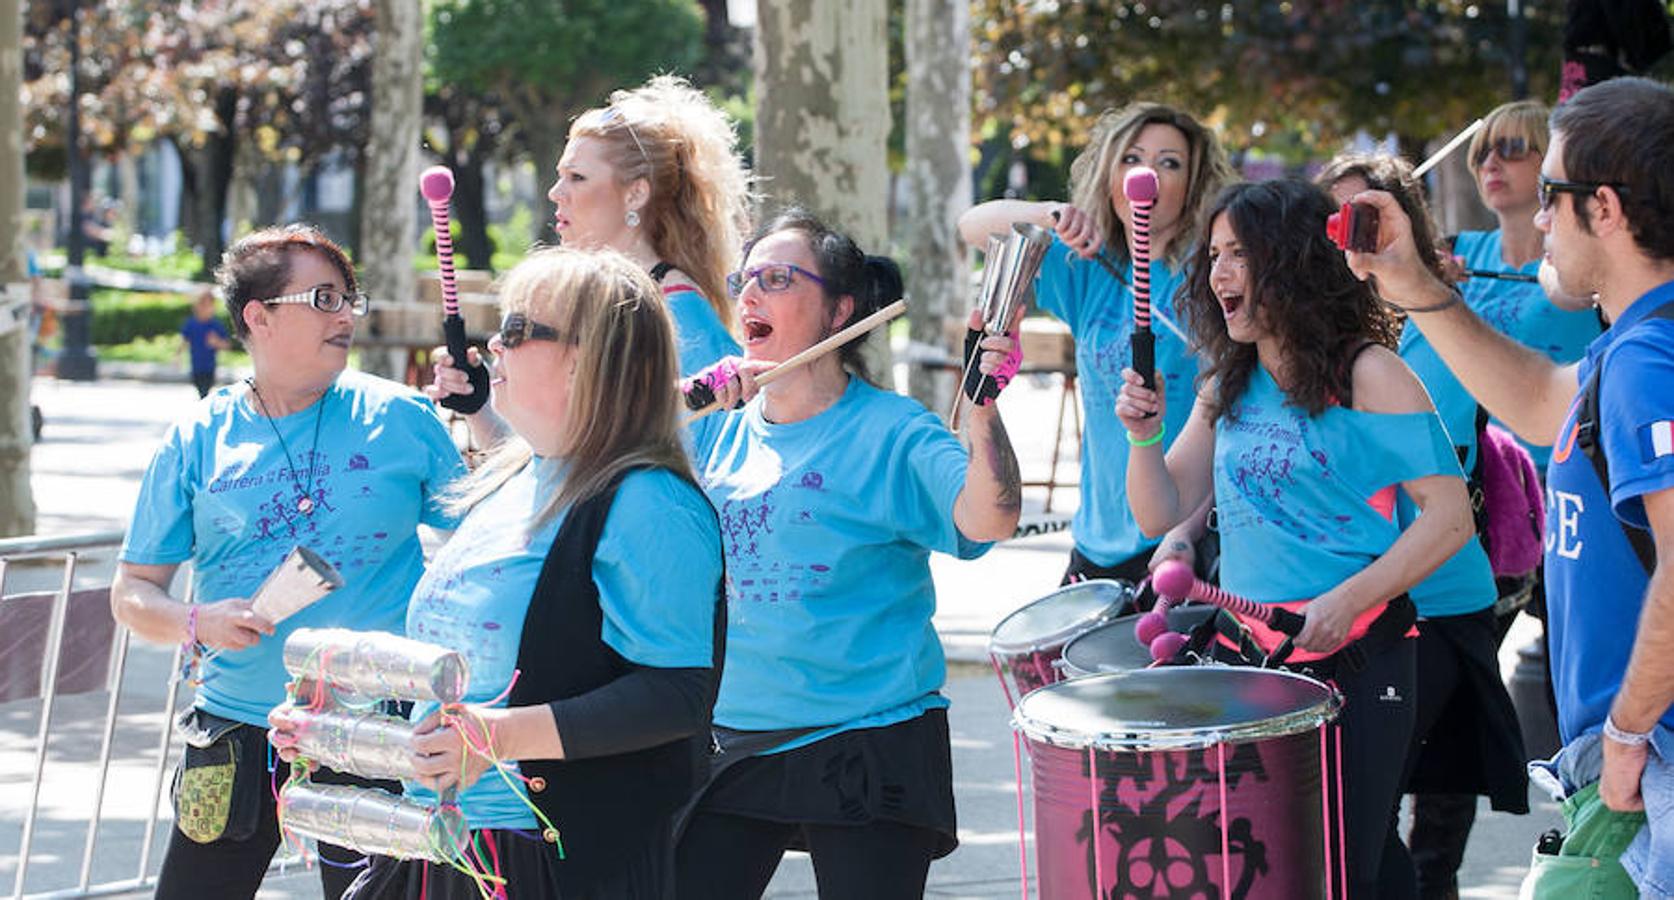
(1077,285)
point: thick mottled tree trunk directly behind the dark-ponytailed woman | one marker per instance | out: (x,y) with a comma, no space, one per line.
(823,120)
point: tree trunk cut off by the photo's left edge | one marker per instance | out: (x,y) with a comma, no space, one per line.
(18,501)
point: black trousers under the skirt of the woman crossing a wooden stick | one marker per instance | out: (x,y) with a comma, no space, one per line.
(726,857)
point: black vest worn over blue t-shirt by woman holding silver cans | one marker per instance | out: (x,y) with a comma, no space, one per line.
(608,811)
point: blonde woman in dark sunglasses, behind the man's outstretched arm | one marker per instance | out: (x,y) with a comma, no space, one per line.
(1502,265)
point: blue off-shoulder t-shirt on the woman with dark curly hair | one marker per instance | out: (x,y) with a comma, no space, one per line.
(1291,491)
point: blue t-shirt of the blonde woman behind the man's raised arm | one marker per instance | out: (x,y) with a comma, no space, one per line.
(1521,310)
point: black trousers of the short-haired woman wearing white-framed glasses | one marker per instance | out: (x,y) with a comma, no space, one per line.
(232,871)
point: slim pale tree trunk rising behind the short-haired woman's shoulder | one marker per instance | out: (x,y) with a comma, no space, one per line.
(391,173)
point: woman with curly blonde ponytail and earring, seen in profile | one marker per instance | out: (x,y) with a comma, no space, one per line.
(657,176)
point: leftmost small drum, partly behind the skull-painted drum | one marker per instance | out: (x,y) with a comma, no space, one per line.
(1029,645)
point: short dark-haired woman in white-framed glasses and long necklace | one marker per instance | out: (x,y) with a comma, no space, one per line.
(302,454)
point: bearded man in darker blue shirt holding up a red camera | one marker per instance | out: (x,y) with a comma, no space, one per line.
(1606,207)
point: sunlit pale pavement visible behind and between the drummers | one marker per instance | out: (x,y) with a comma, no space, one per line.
(96,444)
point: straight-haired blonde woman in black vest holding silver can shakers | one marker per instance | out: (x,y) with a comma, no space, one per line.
(585,591)
